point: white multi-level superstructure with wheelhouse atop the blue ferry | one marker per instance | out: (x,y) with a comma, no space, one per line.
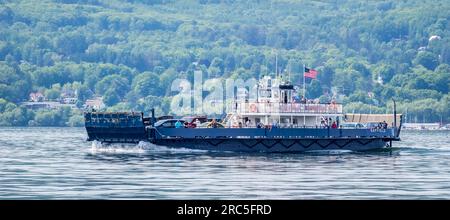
(277,104)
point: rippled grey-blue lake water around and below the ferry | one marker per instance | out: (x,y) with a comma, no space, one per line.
(57,163)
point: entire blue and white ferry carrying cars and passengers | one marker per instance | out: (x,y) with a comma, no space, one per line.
(276,121)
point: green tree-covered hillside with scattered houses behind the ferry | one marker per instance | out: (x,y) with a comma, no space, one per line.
(128,52)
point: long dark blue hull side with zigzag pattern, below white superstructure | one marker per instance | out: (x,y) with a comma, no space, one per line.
(273,140)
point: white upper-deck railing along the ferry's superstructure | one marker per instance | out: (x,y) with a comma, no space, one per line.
(270,108)
